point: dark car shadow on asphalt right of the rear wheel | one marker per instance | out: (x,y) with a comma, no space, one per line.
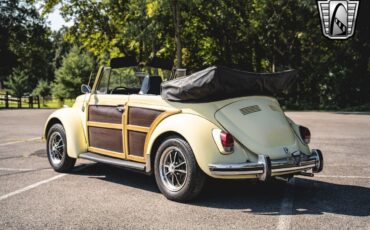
(311,196)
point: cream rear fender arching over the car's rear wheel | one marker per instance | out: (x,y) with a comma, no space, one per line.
(197,131)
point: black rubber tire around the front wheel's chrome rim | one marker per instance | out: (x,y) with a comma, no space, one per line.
(67,163)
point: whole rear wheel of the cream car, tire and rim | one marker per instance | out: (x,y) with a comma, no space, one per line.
(177,173)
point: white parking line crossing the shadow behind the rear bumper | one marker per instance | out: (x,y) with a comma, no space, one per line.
(286,207)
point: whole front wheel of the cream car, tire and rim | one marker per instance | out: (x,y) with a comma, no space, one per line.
(56,146)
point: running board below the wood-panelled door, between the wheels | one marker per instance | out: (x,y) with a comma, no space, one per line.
(112,161)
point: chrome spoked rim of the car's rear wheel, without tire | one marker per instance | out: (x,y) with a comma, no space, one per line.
(173,168)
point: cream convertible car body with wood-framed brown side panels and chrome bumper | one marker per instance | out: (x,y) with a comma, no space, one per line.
(131,127)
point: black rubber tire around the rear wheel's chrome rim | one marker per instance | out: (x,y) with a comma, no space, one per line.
(195,179)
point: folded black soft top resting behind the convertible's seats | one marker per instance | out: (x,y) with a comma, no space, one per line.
(217,83)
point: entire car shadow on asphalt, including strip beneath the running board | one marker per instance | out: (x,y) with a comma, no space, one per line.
(310,195)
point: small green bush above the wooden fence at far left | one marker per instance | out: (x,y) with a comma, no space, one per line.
(17,83)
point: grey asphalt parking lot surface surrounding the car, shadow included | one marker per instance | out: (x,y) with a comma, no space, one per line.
(96,196)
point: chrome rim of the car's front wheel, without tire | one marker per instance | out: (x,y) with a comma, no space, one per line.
(56,148)
